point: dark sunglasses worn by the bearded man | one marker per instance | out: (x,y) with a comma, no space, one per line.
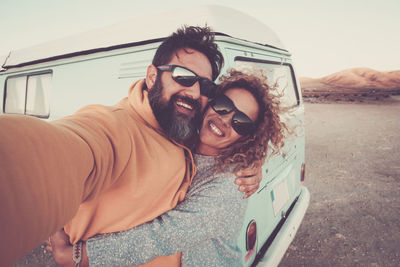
(187,78)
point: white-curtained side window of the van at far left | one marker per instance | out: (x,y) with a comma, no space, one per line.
(29,94)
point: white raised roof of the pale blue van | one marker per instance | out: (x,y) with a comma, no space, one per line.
(222,20)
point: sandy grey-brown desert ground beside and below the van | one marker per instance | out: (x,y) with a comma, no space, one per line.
(353,174)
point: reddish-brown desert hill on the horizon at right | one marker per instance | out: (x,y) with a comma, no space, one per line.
(353,84)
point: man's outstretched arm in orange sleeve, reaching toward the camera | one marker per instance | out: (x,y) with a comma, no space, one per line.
(47,170)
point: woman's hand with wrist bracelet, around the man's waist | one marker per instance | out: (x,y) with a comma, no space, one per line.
(59,245)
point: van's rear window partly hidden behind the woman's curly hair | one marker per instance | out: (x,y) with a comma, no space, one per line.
(279,74)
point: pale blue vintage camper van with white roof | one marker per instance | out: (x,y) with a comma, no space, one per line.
(55,79)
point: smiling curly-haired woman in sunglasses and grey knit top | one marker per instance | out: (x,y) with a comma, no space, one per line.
(238,125)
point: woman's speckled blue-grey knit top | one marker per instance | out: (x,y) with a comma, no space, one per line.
(204,227)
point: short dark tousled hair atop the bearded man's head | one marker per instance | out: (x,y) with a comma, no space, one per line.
(197,38)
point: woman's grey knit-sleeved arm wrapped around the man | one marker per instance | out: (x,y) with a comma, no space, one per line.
(208,211)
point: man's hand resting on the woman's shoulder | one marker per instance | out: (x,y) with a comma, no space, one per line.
(249,180)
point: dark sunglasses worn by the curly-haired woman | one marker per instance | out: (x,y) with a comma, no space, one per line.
(241,123)
